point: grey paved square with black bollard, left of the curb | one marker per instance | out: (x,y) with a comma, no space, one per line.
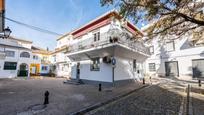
(16,95)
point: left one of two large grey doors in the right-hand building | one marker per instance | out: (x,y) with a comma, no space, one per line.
(171,68)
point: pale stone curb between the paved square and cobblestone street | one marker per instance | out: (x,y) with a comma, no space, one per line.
(97,105)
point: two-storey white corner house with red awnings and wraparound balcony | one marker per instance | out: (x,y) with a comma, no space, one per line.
(106,50)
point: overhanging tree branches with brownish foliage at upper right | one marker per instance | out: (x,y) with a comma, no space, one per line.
(173,17)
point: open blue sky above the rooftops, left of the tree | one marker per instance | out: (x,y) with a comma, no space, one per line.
(59,16)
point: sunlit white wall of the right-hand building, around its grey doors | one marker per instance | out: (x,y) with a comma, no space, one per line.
(184,53)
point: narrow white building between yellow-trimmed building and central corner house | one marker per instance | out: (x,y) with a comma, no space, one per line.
(59,60)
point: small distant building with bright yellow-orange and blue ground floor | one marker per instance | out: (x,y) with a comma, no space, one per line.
(41,61)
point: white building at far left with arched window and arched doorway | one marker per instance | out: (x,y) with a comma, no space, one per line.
(15,57)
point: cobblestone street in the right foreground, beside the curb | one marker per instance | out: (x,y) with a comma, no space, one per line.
(164,98)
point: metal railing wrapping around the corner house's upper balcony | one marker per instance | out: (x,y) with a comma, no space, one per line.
(106,39)
